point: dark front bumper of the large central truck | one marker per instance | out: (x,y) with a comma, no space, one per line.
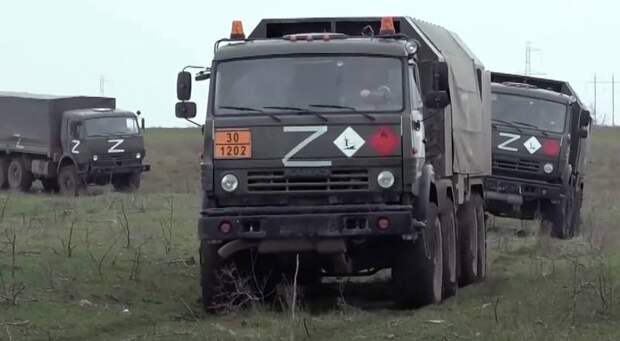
(300,222)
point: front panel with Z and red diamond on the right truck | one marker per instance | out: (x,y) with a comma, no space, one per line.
(524,152)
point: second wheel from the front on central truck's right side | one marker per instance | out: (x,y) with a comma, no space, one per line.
(450,253)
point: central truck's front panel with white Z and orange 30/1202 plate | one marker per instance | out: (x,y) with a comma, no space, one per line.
(307,141)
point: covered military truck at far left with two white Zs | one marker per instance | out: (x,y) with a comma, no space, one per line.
(68,143)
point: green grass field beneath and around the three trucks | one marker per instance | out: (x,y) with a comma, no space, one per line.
(124,267)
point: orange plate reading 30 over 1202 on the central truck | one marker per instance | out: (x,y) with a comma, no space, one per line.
(233,144)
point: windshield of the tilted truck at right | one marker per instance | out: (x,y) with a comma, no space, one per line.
(544,115)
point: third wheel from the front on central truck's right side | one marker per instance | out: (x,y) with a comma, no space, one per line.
(468,242)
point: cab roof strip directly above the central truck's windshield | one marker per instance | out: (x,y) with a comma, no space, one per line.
(271,47)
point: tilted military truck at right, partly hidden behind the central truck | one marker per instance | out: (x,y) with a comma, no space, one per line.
(541,136)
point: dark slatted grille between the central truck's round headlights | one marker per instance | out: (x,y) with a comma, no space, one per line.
(335,180)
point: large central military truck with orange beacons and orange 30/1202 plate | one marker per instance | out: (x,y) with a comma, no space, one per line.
(350,144)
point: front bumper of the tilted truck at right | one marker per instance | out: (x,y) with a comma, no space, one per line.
(517,191)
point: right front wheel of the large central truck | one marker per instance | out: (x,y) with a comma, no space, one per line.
(417,272)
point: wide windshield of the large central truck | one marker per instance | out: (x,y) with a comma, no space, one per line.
(362,83)
